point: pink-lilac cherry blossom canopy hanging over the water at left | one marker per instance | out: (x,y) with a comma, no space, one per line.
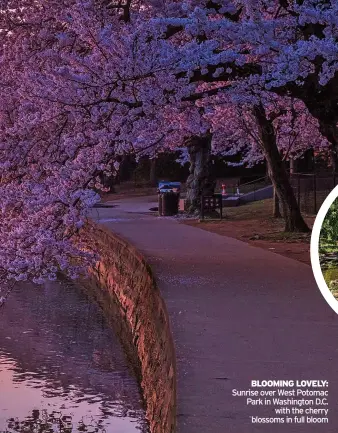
(79,87)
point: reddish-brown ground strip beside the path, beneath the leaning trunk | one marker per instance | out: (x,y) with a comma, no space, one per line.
(254,224)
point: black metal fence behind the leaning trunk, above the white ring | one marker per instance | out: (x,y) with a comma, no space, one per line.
(311,189)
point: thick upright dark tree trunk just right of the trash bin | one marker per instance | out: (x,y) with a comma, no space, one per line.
(200,180)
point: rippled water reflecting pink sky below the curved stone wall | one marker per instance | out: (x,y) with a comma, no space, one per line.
(62,368)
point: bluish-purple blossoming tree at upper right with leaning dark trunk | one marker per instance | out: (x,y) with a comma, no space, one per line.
(287,47)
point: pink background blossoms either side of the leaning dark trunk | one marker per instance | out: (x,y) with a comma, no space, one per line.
(235,130)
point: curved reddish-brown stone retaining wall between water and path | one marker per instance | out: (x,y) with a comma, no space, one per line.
(123,275)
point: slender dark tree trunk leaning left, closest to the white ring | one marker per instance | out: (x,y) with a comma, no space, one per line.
(294,221)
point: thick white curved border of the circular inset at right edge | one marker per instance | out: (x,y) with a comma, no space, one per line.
(314,250)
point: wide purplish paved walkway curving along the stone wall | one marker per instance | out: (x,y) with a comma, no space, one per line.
(237,313)
